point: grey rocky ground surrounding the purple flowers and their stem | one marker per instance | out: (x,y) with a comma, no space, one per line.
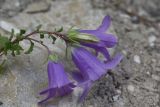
(134,83)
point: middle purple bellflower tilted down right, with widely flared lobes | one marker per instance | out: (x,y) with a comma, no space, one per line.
(91,68)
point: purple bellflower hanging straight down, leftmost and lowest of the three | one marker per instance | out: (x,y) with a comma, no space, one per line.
(59,84)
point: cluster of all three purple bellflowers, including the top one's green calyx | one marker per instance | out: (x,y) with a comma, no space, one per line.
(90,67)
